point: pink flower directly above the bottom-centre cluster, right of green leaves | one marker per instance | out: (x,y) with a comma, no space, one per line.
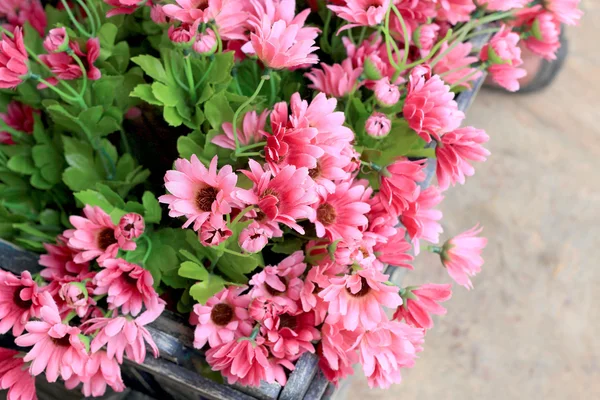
(280,284)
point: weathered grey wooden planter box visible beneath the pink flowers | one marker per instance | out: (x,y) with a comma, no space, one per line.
(175,374)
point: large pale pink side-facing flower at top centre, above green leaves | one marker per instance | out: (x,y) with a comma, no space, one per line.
(281,45)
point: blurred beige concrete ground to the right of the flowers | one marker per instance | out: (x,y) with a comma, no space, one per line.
(530,327)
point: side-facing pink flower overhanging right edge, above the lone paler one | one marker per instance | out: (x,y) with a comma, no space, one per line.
(455,151)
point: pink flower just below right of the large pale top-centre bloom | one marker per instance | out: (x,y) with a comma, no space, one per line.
(337,80)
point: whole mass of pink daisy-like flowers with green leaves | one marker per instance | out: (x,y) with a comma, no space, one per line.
(293,140)
